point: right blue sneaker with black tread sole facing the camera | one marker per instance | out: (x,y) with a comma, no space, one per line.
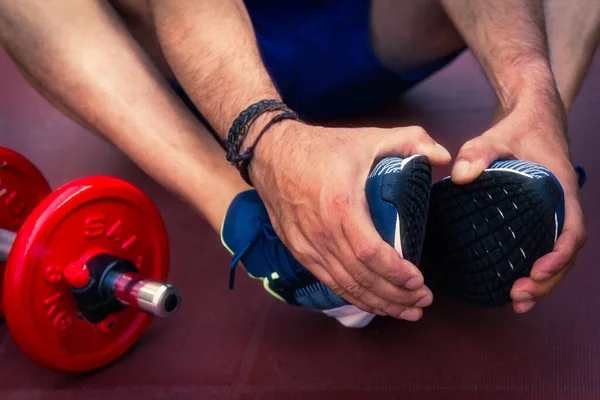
(483,236)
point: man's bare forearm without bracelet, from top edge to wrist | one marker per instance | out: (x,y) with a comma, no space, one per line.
(509,40)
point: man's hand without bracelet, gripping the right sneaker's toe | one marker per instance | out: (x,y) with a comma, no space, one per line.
(533,132)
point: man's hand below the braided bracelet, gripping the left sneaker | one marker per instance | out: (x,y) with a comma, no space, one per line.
(312,181)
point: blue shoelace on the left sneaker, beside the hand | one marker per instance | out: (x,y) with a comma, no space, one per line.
(274,251)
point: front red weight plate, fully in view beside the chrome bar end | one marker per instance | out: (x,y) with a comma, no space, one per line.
(87,216)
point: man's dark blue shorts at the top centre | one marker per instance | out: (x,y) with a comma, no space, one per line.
(319,55)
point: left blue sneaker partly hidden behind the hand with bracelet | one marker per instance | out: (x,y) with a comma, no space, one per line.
(398,195)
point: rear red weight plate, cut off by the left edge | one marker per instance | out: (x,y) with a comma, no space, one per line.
(22,187)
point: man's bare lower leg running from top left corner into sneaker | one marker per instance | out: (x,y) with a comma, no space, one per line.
(93,70)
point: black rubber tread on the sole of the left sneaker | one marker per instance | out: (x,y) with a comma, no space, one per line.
(412,204)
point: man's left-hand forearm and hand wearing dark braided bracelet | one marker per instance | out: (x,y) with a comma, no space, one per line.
(311,179)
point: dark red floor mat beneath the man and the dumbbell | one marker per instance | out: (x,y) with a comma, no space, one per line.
(245,344)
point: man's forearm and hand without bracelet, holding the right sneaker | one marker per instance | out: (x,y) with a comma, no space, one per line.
(509,40)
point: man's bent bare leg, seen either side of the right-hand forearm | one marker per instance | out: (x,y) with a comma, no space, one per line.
(408,35)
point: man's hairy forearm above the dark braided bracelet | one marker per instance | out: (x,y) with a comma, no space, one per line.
(212,50)
